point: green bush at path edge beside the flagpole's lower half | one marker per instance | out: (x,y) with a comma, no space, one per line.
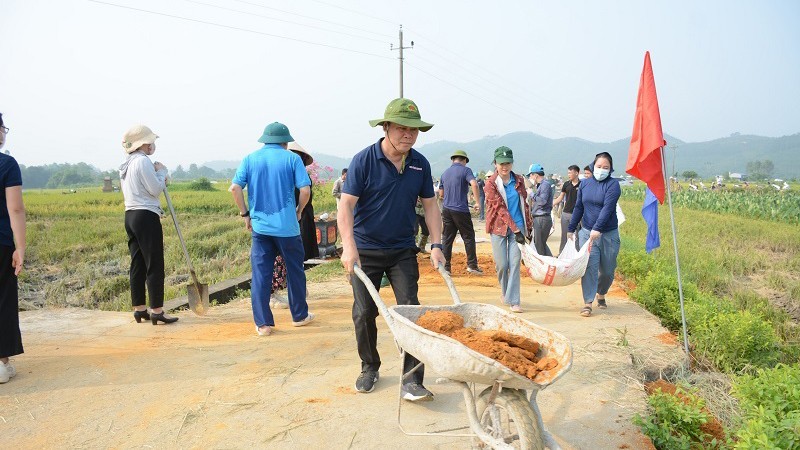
(658,293)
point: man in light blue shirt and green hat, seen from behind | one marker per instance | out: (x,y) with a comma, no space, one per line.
(271,175)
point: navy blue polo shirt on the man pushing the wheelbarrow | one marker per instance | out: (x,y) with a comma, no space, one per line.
(385,214)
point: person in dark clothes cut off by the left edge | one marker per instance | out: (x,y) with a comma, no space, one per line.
(12,256)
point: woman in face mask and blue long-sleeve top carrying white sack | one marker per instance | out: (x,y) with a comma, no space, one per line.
(595,208)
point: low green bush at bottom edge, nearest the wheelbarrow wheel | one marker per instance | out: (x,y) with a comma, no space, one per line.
(675,421)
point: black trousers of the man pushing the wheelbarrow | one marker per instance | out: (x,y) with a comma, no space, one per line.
(402,270)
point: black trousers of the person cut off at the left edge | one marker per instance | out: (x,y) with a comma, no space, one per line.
(10,335)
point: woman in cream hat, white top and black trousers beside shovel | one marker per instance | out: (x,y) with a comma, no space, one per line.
(142,183)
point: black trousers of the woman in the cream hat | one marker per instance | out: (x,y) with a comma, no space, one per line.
(146,244)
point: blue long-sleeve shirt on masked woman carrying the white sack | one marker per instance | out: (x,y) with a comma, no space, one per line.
(596,205)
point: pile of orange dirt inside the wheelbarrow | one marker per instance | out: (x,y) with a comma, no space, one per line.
(518,353)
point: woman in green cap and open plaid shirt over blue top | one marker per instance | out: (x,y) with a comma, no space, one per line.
(508,222)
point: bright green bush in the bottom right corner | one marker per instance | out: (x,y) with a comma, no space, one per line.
(770,403)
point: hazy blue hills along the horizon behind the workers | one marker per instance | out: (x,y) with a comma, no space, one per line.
(717,157)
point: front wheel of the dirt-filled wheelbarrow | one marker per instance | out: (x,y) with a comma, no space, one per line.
(510,419)
